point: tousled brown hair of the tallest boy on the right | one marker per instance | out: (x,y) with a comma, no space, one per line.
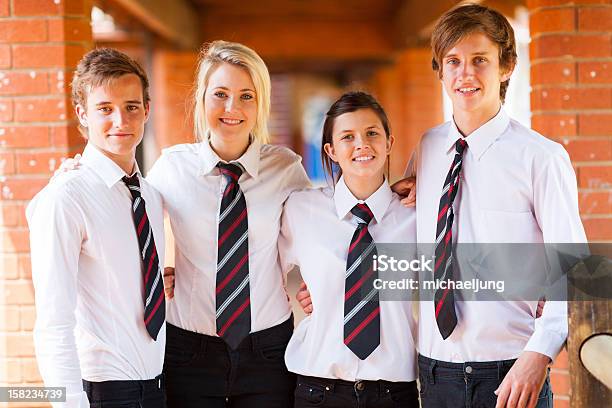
(459,22)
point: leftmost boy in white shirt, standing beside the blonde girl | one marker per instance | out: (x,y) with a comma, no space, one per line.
(97,245)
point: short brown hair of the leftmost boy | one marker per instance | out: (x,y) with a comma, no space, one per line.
(99,67)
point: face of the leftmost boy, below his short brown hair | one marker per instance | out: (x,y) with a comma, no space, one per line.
(114,117)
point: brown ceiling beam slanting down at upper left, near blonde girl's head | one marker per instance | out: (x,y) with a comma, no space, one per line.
(175,21)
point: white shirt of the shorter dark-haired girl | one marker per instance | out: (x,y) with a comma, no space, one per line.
(316,232)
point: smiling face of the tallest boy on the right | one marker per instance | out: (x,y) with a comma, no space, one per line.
(472,76)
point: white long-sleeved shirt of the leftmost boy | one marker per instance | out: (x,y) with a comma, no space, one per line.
(87,274)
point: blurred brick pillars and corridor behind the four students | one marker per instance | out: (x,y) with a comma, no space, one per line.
(315,50)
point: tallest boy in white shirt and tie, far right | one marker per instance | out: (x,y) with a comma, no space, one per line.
(485,178)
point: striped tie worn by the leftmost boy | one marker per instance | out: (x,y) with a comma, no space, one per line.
(155,305)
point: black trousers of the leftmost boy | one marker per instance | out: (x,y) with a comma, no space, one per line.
(126,394)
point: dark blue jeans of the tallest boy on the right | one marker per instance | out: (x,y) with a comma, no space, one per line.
(468,385)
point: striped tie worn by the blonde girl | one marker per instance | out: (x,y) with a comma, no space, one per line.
(233,289)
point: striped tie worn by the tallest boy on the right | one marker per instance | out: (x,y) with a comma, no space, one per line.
(444,299)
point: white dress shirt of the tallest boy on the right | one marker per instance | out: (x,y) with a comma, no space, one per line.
(516,187)
